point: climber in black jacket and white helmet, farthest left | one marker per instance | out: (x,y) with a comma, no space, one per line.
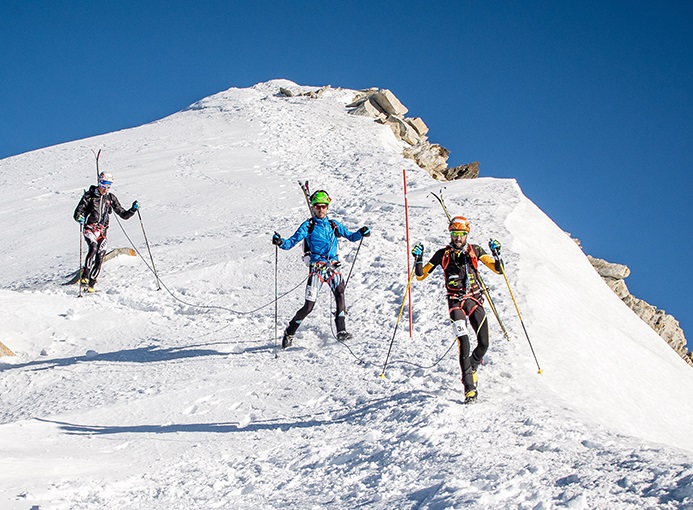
(93,214)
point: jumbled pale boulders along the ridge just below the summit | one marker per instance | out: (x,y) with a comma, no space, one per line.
(382,106)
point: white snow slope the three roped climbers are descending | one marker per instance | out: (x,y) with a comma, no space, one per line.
(178,398)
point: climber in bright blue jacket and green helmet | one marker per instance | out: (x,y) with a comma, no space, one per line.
(320,235)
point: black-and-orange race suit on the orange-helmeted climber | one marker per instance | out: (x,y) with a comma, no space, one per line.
(465,299)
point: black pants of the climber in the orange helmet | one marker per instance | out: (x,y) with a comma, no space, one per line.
(474,311)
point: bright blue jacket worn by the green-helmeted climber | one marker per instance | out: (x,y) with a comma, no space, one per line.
(322,241)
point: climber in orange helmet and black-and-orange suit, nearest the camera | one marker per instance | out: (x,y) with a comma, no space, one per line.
(460,261)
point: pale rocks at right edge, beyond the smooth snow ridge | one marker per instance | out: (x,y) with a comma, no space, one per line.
(664,324)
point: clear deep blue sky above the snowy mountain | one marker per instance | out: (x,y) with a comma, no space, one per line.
(589,105)
